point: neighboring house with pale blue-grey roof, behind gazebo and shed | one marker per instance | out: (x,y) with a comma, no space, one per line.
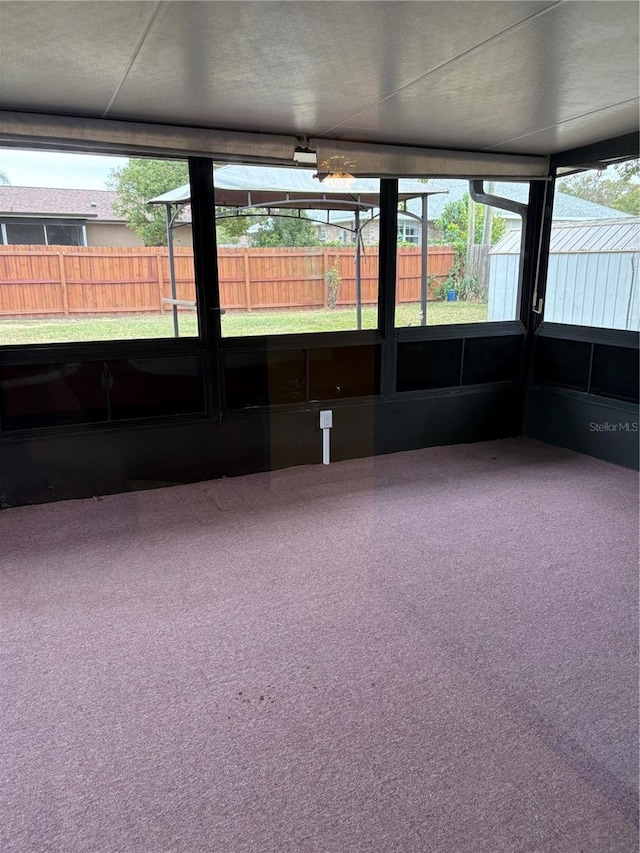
(567,208)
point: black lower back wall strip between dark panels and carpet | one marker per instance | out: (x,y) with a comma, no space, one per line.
(73,464)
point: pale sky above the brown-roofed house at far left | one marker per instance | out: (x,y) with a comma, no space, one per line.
(55,169)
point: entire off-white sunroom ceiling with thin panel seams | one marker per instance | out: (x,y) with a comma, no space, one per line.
(520,77)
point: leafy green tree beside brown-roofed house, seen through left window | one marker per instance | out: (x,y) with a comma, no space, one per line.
(135,184)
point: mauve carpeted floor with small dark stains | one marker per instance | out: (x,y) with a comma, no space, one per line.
(430,651)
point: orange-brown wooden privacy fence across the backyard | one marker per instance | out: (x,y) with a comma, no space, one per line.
(70,281)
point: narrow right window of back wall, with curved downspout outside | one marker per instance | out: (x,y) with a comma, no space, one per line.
(472,271)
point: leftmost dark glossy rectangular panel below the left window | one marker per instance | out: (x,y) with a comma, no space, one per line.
(43,395)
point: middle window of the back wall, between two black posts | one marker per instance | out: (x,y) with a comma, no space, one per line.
(276,275)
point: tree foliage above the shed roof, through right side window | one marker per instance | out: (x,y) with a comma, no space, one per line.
(618,188)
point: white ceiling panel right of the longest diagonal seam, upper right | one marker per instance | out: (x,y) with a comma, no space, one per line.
(556,68)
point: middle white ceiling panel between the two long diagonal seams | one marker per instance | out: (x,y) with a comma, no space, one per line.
(306,65)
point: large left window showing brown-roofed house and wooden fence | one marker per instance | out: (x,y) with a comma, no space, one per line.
(85,257)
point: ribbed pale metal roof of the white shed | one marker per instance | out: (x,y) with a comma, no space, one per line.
(596,236)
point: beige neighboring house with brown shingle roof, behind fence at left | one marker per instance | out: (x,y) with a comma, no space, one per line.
(63,217)
